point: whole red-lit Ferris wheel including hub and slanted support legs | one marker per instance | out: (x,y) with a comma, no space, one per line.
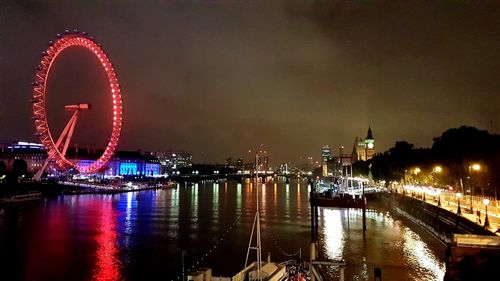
(56,150)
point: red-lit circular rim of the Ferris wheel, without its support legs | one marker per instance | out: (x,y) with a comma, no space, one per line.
(39,89)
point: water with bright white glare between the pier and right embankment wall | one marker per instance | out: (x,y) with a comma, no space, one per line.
(399,251)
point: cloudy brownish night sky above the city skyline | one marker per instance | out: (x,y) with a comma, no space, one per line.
(217,78)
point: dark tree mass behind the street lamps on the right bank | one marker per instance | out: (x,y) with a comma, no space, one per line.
(455,150)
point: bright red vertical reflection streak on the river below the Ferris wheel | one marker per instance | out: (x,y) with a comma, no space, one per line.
(107,263)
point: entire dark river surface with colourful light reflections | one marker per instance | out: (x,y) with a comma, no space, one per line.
(142,235)
